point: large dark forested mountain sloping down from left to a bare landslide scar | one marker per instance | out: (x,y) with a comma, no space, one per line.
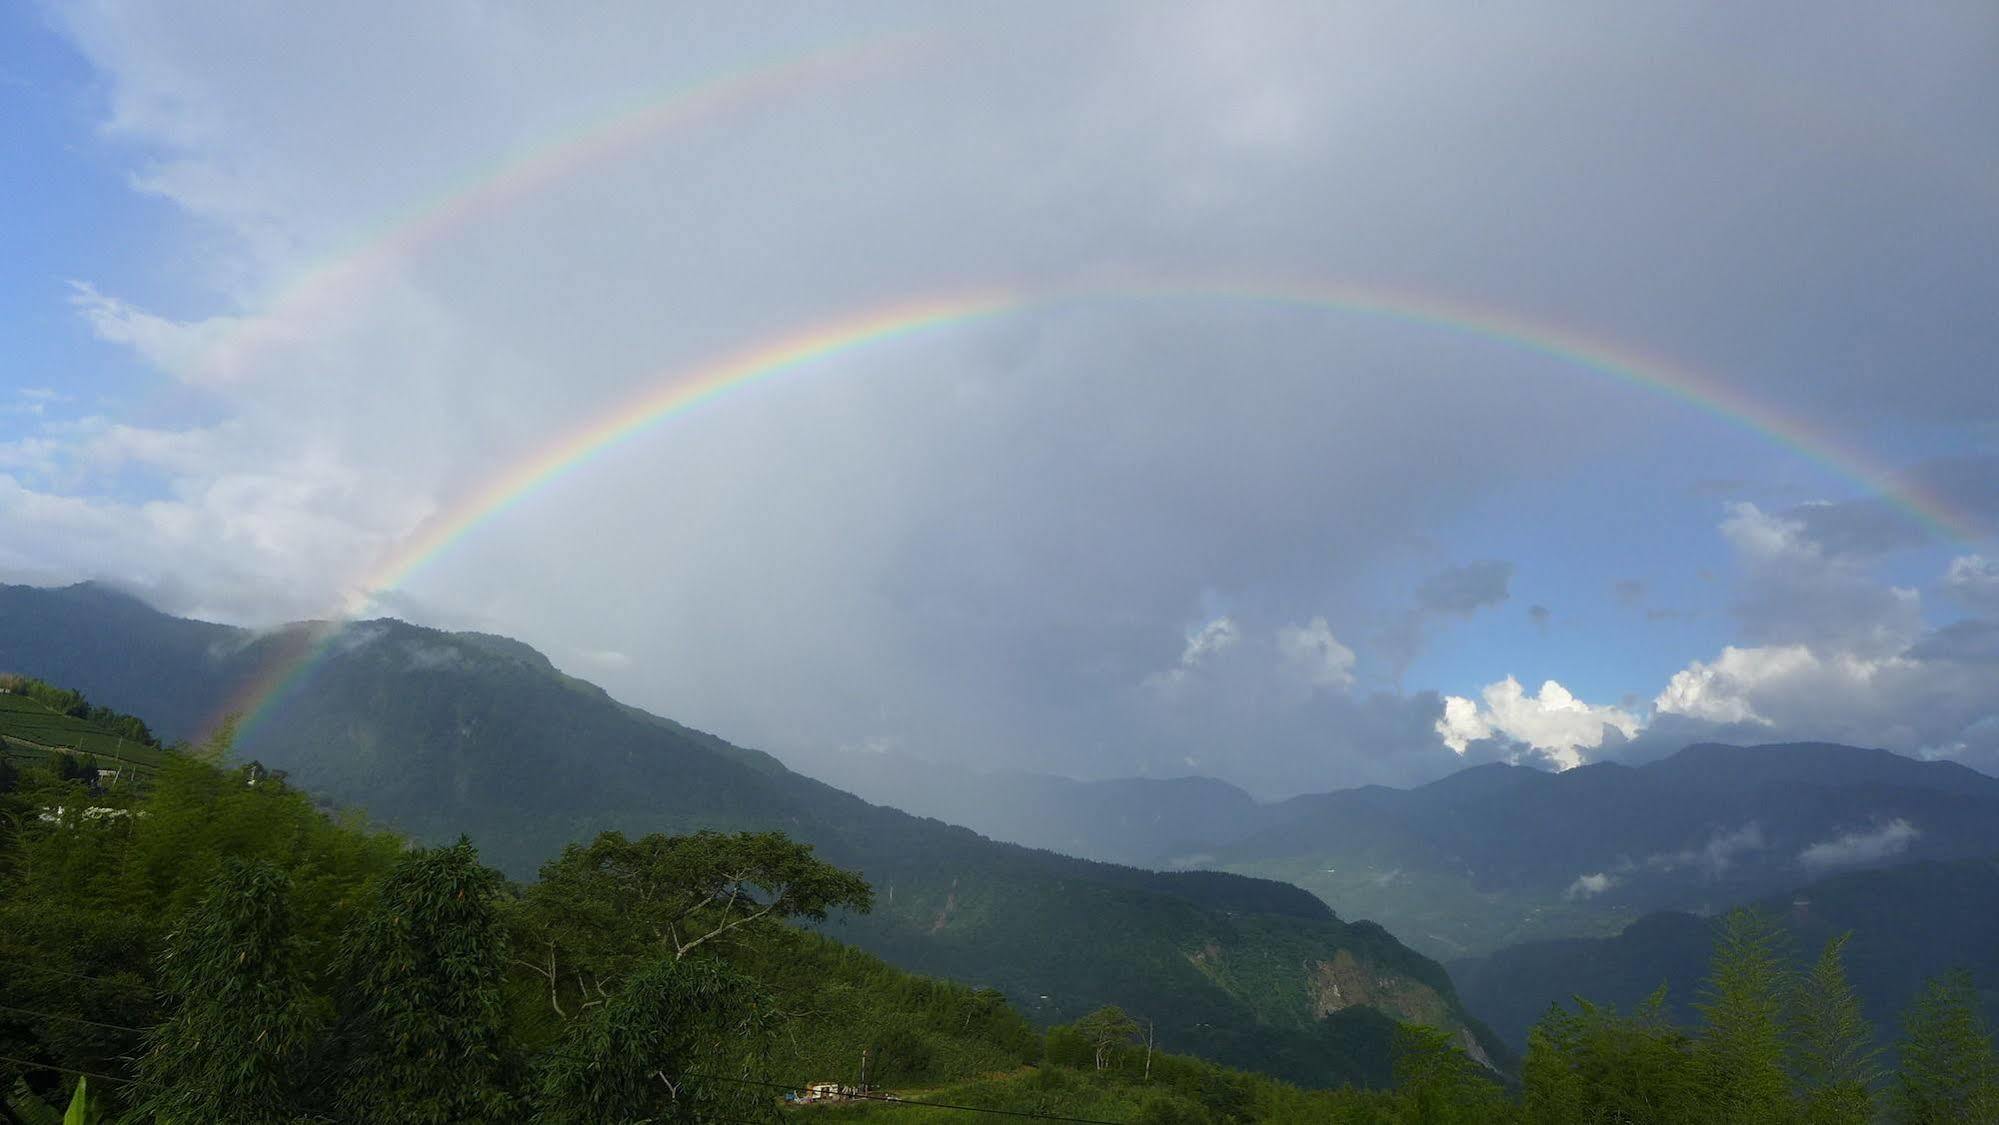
(443,734)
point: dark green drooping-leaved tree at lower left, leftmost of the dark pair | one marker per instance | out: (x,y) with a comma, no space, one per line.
(245,1030)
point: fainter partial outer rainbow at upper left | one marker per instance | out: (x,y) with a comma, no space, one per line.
(341,281)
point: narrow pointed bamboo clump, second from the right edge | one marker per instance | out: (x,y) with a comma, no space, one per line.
(1834,1058)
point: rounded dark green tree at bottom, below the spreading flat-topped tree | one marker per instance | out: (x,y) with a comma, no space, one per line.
(683,1040)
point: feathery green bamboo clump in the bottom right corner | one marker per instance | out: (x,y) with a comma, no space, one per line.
(1948,1068)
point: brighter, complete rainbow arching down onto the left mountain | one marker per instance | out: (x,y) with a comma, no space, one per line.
(677,393)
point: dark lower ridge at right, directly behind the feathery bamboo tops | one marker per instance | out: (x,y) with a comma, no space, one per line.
(1908,922)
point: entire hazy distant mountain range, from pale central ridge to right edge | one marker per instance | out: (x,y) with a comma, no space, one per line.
(1500,854)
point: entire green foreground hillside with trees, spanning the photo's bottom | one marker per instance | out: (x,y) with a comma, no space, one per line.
(221,950)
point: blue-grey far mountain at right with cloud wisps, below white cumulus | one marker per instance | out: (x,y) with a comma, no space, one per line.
(1502,854)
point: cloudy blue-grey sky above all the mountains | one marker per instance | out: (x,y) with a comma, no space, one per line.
(1656,399)
